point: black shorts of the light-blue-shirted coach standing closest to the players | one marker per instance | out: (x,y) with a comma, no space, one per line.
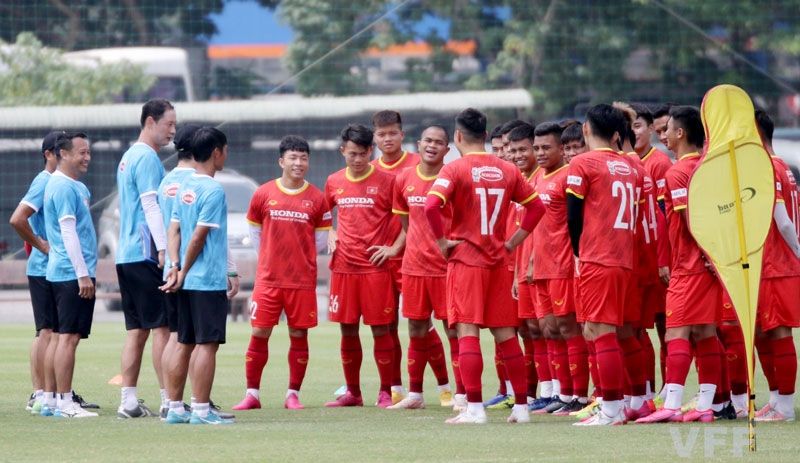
(202,316)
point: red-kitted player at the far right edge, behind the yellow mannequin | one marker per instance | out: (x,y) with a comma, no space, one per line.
(778,311)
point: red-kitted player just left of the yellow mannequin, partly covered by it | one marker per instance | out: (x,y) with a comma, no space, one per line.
(694,295)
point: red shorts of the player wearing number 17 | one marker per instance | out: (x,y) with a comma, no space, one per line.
(480,296)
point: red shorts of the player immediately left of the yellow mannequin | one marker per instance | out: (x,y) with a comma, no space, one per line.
(694,300)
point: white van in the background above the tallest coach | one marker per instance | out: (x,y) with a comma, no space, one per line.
(169,65)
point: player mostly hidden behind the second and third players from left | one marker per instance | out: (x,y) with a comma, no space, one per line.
(388,126)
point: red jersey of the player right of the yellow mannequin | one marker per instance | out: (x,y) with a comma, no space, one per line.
(779,260)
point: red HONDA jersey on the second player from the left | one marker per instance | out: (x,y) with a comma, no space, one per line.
(364,213)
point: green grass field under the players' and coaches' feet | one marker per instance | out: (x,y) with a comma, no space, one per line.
(329,435)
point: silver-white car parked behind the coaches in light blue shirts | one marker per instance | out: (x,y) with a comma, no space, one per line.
(238,191)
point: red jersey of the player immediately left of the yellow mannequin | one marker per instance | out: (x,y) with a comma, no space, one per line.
(687,258)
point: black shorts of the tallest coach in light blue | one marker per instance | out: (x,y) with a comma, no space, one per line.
(142,301)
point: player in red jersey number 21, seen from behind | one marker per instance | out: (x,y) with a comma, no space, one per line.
(600,215)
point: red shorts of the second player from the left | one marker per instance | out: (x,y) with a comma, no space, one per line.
(361,294)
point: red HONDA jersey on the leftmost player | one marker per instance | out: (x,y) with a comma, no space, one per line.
(287,256)
